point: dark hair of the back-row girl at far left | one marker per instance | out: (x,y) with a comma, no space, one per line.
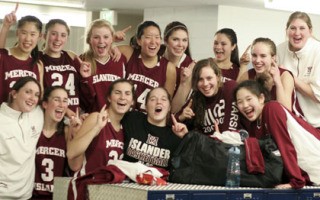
(38,25)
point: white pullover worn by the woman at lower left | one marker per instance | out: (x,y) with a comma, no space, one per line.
(18,139)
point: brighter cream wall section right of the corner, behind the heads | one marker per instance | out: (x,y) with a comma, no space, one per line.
(252,23)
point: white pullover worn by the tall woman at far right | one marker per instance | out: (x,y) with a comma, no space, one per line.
(305,64)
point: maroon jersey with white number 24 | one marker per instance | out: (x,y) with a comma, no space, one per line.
(63,71)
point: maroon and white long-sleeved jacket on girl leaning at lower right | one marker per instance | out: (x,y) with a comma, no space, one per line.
(278,122)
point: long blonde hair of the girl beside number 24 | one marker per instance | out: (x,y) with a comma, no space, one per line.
(89,54)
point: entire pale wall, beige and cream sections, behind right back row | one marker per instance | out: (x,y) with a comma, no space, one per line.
(248,23)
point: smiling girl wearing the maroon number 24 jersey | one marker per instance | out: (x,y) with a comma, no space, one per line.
(61,68)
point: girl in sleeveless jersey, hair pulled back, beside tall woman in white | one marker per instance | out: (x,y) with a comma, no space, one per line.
(279,81)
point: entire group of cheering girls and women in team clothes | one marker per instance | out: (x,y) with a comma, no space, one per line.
(145,78)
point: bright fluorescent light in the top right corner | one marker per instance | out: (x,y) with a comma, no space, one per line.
(308,6)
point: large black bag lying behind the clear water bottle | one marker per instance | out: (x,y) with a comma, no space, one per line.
(203,160)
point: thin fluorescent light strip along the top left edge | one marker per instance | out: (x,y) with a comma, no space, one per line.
(59,3)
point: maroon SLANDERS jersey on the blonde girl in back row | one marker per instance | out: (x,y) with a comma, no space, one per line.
(94,88)
